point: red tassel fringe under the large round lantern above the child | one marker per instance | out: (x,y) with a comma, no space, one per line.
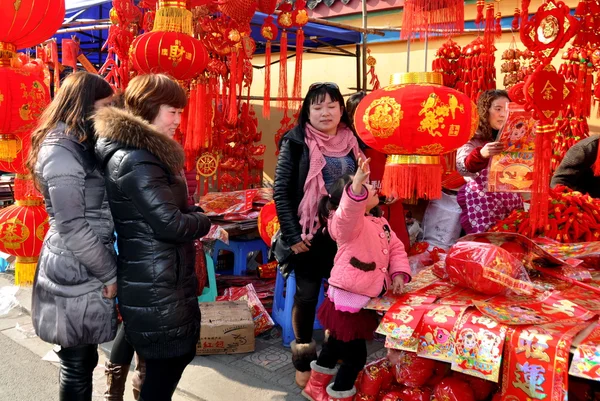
(410,181)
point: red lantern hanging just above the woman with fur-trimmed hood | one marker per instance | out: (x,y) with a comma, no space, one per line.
(173,53)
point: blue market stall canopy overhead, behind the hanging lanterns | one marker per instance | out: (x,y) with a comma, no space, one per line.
(86,13)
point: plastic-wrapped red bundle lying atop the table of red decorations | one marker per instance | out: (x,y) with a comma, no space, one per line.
(485,268)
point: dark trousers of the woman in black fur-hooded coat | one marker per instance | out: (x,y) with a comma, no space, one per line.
(162,376)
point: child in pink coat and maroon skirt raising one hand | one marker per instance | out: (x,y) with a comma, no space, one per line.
(370,259)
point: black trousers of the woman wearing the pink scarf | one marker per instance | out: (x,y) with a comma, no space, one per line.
(310,269)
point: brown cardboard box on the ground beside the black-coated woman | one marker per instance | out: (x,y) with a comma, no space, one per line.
(225,328)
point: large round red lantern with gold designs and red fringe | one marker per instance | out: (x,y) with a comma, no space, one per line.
(414,122)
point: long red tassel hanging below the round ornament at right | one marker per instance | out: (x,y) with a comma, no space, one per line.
(541,183)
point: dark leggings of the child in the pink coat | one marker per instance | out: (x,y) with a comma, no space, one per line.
(353,355)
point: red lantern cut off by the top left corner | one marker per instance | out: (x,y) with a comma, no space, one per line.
(26,23)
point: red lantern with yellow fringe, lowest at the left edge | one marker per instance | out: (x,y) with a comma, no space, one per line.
(23,227)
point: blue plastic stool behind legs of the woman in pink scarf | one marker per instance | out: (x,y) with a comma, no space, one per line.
(282,306)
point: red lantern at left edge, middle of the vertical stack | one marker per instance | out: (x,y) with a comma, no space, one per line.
(23,97)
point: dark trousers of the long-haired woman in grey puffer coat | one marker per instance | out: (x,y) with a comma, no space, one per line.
(76,372)
